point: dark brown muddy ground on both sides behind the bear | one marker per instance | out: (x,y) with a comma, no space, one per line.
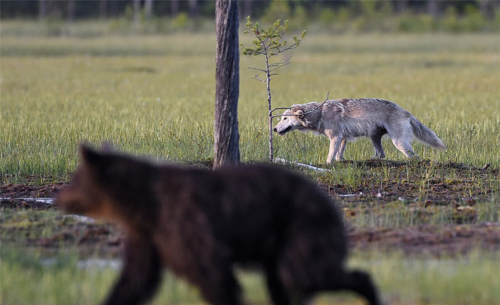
(464,233)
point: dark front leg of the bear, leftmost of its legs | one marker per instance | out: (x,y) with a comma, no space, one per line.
(141,274)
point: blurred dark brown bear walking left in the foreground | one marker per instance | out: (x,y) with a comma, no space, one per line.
(201,223)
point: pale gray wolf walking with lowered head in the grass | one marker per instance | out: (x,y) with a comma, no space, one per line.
(345,119)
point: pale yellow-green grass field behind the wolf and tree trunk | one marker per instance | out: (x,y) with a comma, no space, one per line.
(154,95)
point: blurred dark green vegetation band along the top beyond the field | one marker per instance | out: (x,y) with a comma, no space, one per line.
(57,17)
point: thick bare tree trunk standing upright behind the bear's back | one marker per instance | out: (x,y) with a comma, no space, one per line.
(227,81)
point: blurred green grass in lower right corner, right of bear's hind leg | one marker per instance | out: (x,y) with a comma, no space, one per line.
(465,280)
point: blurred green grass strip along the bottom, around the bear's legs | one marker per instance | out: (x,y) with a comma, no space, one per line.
(466,280)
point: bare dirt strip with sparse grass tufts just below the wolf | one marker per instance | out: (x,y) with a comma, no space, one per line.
(425,181)
